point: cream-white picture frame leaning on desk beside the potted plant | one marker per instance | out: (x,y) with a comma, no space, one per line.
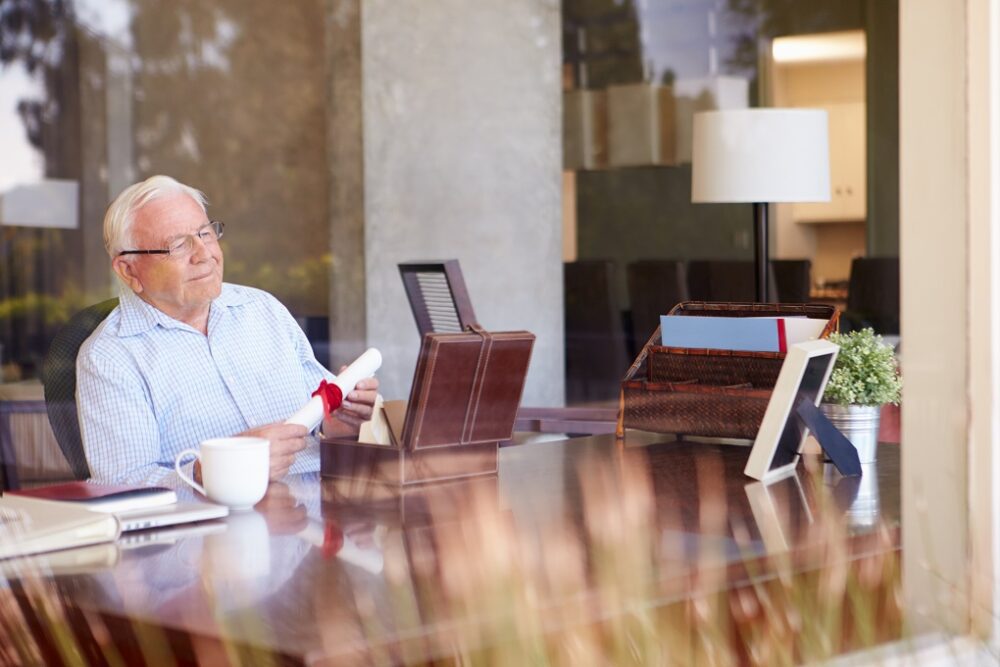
(779,441)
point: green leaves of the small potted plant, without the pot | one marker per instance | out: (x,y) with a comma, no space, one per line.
(866,372)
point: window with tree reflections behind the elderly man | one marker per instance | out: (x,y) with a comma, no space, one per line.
(229,96)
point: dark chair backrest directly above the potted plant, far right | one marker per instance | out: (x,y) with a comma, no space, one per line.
(873,294)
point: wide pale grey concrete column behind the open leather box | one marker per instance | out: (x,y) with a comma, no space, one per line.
(462,159)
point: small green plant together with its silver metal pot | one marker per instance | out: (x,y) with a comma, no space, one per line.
(865,377)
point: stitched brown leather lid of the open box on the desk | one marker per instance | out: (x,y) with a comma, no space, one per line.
(466,388)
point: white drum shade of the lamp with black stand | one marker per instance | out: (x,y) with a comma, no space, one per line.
(760,155)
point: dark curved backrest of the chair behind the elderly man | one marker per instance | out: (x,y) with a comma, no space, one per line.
(59,379)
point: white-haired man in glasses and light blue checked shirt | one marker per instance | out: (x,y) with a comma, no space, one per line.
(185,357)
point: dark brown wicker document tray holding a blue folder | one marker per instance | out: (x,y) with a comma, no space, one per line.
(718,393)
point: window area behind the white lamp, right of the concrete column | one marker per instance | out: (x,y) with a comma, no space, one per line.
(635,72)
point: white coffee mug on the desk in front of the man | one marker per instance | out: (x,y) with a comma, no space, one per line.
(234,470)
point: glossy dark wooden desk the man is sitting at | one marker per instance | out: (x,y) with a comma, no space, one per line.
(578,547)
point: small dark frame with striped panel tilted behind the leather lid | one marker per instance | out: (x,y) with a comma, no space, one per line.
(437,295)
